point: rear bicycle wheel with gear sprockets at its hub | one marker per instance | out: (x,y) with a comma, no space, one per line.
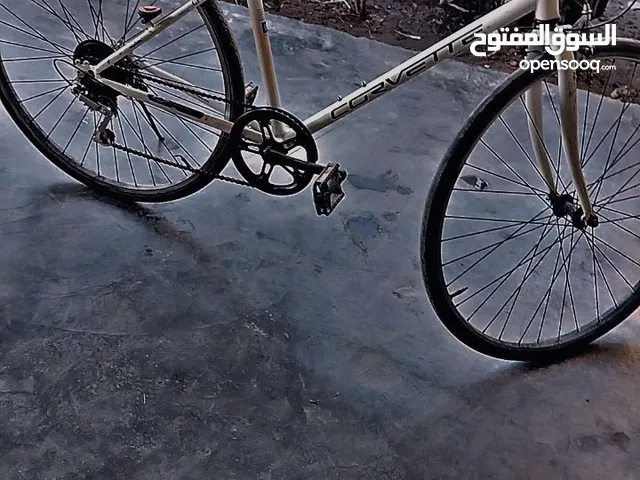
(39,87)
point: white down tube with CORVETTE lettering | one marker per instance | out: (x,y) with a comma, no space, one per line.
(420,63)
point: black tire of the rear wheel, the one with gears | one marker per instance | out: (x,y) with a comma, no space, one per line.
(233,76)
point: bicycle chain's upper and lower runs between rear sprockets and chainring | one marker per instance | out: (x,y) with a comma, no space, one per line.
(199,93)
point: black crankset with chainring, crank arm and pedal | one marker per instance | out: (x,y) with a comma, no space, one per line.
(275,170)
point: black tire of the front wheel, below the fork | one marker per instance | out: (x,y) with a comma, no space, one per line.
(434,218)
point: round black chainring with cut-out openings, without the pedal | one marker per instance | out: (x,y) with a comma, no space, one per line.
(270,151)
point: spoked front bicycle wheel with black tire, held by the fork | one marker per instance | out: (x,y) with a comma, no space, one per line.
(508,274)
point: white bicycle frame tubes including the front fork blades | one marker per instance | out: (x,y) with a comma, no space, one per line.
(449,47)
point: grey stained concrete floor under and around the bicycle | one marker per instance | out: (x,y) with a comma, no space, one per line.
(234,335)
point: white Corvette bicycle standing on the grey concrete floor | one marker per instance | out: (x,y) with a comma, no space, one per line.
(118,94)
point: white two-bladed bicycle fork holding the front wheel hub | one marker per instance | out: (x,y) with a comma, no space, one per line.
(561,202)
